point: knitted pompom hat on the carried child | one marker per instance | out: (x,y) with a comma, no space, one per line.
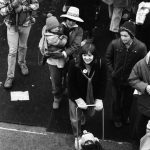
(51,22)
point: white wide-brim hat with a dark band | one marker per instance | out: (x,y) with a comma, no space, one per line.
(73,13)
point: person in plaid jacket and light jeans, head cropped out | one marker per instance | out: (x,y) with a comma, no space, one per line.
(18,19)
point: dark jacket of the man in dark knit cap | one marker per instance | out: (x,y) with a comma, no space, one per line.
(121,60)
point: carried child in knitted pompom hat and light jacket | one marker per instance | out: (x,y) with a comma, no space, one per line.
(53,42)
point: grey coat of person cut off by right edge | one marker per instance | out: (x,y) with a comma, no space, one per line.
(139,79)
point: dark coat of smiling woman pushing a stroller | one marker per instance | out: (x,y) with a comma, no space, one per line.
(77,83)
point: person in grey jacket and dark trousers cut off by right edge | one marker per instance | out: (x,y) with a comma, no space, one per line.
(139,79)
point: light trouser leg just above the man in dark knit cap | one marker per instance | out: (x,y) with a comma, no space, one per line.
(115,19)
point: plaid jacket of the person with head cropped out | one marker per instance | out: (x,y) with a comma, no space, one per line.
(25,17)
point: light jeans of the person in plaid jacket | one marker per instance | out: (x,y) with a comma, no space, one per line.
(17,41)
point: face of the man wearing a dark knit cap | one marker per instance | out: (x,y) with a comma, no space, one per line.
(125,37)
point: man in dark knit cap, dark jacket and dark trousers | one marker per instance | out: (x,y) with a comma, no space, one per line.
(121,56)
